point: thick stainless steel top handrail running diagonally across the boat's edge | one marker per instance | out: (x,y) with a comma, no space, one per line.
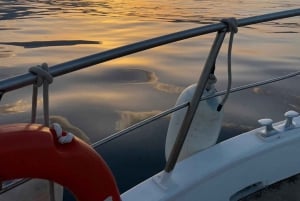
(77,64)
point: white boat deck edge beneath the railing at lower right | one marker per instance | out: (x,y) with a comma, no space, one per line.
(227,171)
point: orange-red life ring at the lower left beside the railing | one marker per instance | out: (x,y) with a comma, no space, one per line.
(33,151)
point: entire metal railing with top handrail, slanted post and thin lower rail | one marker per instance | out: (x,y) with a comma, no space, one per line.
(77,64)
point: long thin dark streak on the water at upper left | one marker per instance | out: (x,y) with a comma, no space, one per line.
(37,44)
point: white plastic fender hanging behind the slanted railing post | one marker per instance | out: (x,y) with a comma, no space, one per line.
(205,127)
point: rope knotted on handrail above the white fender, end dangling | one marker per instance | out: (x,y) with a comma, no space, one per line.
(232,27)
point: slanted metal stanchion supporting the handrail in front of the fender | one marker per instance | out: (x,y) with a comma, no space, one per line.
(195,101)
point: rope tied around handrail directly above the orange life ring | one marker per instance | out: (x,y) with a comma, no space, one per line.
(43,78)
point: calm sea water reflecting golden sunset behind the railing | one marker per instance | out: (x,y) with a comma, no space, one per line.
(108,97)
